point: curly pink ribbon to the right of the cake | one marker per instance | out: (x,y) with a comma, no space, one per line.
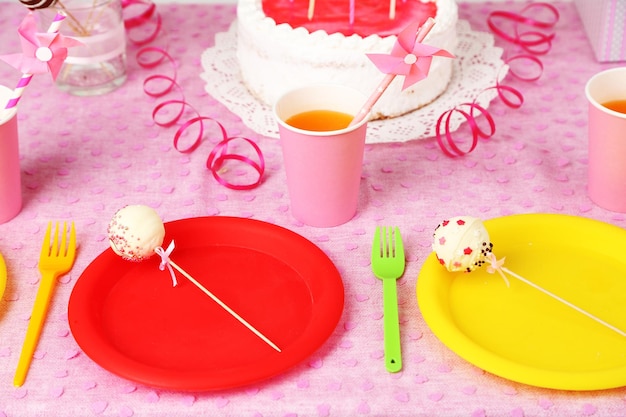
(525,67)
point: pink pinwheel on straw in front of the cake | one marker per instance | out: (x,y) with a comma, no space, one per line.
(409,57)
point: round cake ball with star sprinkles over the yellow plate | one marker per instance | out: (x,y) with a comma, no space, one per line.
(461,243)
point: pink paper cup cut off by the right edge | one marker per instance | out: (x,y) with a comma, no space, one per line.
(607,140)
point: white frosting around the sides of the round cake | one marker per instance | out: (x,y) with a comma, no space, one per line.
(276,58)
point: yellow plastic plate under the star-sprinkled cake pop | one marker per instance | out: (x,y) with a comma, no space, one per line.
(518,332)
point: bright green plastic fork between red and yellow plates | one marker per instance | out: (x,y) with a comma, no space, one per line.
(388,264)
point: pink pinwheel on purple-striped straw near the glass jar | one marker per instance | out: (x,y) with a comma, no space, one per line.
(41,52)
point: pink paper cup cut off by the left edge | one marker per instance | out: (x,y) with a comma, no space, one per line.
(10,177)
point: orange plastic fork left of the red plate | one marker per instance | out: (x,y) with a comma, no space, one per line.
(55,260)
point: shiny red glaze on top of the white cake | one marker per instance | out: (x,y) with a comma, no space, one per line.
(371,17)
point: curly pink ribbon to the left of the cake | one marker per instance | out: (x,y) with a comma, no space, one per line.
(142,17)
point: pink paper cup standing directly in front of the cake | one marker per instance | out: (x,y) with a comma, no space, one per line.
(323,169)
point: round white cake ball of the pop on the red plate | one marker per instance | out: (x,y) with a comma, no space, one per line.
(135,232)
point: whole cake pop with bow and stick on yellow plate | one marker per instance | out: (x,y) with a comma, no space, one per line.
(462,244)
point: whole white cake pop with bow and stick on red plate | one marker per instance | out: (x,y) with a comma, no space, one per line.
(136,233)
